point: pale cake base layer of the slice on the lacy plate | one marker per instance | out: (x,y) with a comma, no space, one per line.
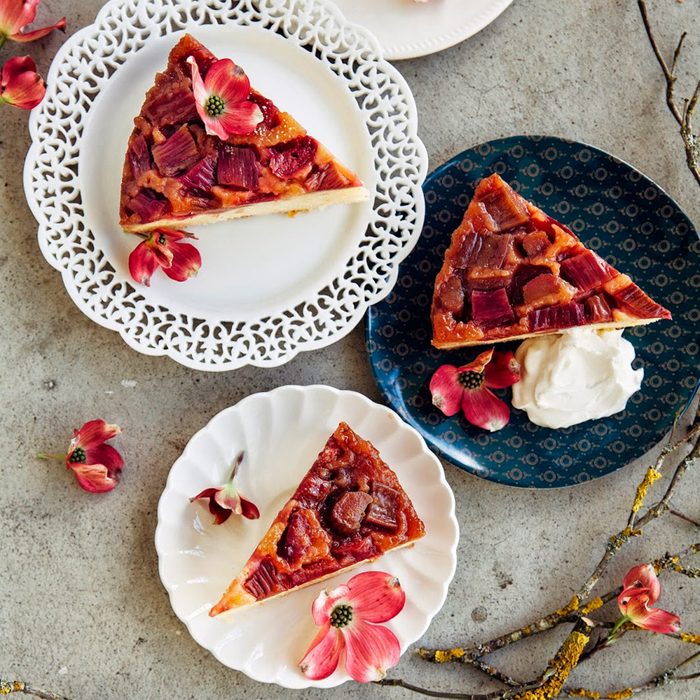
(304,202)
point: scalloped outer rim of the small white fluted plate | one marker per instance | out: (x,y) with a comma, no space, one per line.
(273,395)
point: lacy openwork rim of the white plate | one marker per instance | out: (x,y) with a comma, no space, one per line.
(269,341)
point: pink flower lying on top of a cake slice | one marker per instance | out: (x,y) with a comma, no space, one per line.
(222,99)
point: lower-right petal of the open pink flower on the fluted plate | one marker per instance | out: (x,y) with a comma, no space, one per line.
(369,651)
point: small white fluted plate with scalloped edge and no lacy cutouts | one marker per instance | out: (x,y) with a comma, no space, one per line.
(282,431)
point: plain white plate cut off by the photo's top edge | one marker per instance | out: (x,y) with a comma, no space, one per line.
(408,29)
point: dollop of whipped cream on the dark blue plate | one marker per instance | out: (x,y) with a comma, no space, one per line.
(577,376)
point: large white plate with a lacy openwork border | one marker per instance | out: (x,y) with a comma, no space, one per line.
(269,286)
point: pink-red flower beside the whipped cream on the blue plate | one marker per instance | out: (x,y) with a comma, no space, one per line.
(467,387)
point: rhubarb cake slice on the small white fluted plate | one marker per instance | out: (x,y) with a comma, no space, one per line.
(349,508)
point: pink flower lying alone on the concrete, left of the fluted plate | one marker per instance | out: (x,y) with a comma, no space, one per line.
(96,465)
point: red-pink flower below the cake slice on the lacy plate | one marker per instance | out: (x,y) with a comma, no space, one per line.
(164,248)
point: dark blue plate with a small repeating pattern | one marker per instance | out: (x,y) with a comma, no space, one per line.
(617,212)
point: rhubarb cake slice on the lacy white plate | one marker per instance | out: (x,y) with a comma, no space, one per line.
(175,173)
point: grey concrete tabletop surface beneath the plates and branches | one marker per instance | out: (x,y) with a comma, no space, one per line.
(82,611)
